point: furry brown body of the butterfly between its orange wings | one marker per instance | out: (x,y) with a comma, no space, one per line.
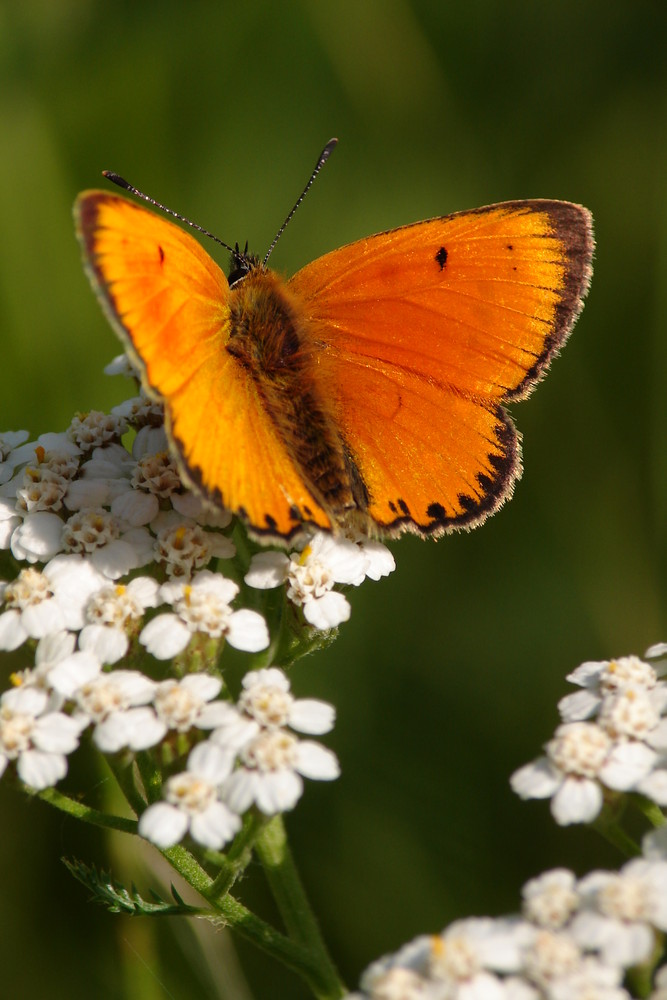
(270,339)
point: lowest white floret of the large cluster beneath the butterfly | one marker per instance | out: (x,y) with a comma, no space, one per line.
(192,803)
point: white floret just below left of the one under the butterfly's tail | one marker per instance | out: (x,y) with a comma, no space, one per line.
(203,605)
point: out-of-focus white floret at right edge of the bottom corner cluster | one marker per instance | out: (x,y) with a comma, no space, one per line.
(620,911)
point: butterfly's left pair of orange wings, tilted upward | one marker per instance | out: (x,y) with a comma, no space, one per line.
(168,300)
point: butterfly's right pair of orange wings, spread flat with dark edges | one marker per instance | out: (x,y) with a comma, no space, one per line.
(427,331)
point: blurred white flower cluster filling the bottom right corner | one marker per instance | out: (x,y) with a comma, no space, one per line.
(575,940)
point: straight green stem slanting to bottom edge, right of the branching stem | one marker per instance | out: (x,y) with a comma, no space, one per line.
(273,851)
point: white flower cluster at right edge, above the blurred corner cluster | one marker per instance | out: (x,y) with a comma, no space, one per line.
(613,739)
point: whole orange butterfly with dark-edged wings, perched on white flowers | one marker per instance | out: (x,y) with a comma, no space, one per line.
(368,390)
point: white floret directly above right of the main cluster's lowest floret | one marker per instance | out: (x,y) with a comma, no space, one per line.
(271,768)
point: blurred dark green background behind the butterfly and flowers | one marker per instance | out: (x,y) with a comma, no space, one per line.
(446,678)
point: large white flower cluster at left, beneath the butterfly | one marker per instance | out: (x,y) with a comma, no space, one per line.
(116,556)
